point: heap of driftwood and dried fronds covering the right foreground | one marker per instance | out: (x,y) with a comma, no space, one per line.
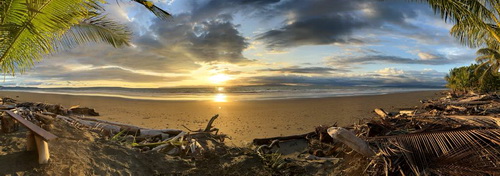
(454,135)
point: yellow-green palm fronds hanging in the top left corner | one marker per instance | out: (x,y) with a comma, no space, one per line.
(32,29)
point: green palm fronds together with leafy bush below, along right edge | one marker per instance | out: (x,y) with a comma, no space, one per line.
(476,24)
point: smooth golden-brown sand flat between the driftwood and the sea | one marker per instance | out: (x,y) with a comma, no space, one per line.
(242,121)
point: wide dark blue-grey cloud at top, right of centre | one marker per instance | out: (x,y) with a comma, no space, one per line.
(321,22)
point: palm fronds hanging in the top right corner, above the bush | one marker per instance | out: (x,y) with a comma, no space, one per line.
(476,24)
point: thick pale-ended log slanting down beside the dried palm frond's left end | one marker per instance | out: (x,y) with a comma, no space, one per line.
(350,139)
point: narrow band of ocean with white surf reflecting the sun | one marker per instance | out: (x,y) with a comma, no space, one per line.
(221,94)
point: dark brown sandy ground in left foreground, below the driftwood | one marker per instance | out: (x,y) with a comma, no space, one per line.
(82,152)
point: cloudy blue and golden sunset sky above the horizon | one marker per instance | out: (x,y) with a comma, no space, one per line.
(263,42)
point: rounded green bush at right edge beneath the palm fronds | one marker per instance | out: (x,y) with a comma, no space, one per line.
(465,79)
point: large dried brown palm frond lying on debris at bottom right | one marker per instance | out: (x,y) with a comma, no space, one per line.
(449,152)
